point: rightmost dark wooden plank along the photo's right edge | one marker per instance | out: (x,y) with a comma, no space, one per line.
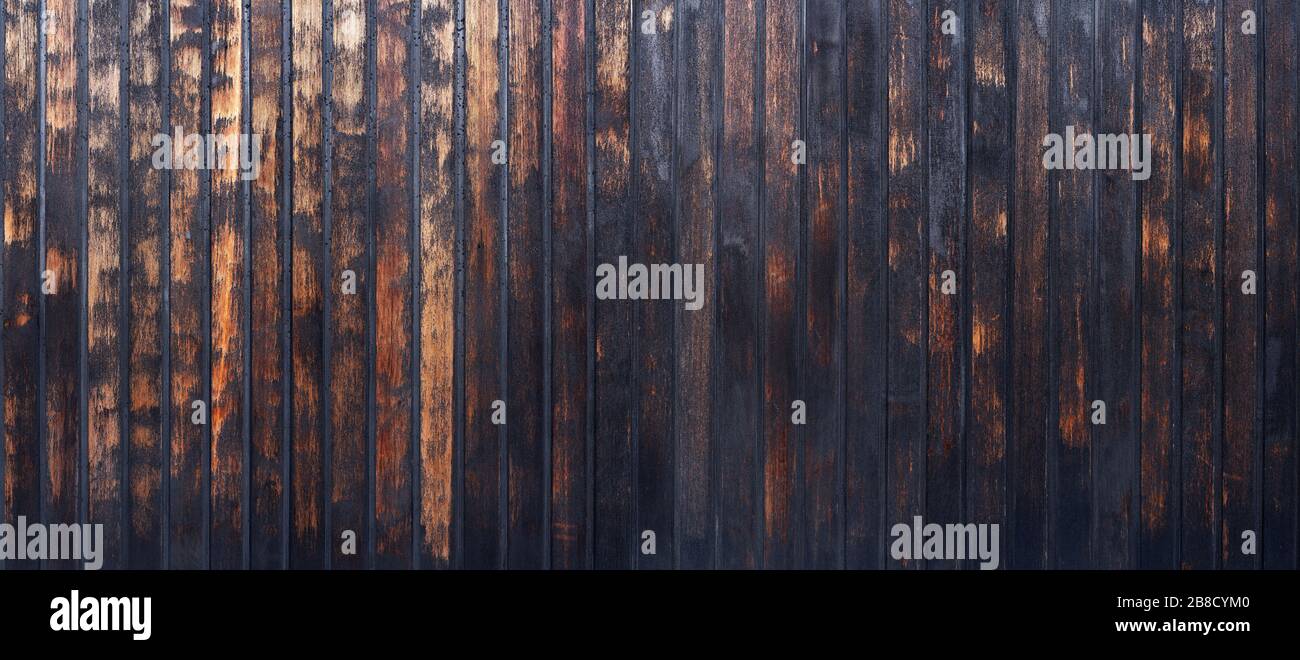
(1279,537)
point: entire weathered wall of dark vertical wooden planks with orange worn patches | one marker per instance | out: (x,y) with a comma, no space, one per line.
(131,293)
